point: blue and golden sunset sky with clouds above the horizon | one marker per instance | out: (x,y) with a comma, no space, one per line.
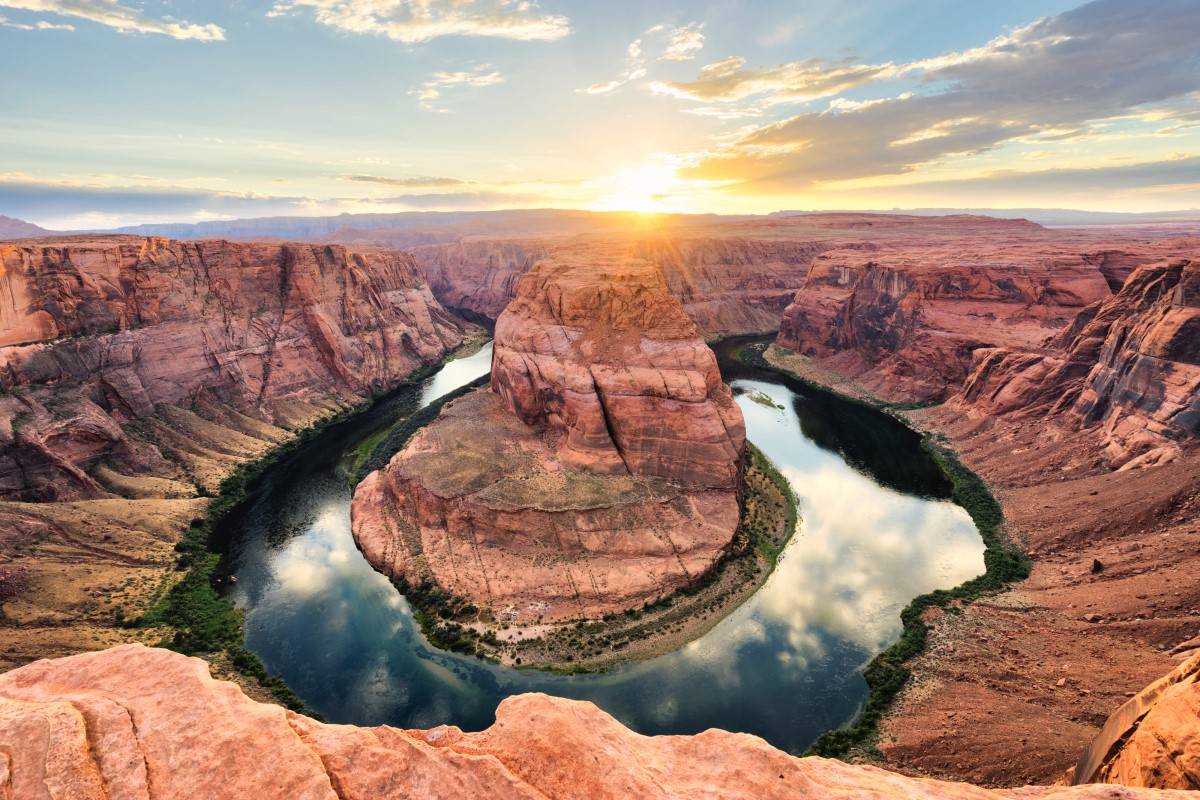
(122,112)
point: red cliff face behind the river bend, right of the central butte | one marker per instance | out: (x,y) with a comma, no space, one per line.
(908,328)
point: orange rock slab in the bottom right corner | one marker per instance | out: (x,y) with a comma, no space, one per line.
(1154,741)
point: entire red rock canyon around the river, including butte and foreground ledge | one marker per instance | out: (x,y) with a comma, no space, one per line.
(599,472)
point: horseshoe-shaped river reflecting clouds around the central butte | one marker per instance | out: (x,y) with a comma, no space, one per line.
(877,532)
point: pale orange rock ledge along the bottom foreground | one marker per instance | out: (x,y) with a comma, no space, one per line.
(139,723)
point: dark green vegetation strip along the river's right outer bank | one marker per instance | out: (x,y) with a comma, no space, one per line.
(1004,566)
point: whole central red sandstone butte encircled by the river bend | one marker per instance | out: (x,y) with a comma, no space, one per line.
(599,472)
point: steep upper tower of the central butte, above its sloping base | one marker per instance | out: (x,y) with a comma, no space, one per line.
(597,350)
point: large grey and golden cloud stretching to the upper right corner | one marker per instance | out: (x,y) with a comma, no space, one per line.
(1052,80)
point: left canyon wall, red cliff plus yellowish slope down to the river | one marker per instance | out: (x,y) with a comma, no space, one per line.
(137,374)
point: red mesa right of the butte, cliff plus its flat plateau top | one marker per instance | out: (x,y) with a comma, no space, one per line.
(904,311)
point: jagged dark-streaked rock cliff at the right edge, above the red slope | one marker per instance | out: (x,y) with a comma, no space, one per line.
(1129,368)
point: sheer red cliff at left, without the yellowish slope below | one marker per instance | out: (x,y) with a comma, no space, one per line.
(118,350)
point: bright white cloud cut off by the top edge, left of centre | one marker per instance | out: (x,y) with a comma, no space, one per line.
(422,21)
